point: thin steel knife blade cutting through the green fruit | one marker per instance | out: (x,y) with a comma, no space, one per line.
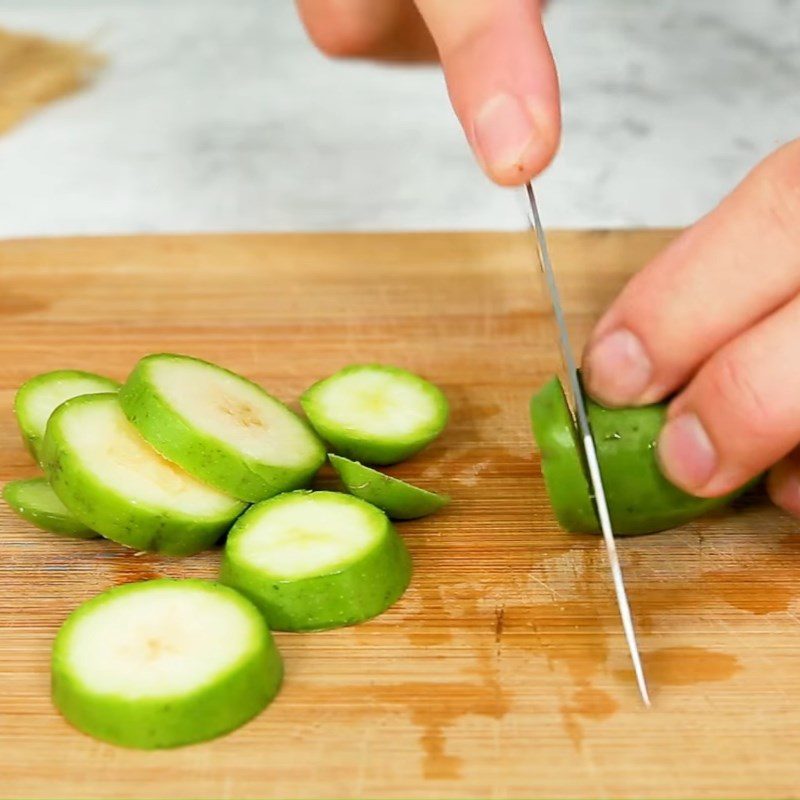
(575,389)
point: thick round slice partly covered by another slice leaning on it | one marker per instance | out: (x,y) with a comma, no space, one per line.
(117,485)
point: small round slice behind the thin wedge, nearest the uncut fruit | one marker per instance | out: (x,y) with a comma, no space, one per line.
(376,414)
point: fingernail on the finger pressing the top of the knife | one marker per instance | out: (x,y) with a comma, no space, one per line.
(505,132)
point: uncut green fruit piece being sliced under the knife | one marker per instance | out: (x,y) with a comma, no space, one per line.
(640,499)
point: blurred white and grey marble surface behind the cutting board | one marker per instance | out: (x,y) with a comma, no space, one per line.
(218,115)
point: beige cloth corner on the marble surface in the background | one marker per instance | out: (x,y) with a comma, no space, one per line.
(35,71)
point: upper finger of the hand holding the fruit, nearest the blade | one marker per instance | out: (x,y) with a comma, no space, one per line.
(718,279)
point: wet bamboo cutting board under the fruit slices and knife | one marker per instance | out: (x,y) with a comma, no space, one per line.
(503,671)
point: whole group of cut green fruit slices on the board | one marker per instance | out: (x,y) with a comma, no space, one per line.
(182,454)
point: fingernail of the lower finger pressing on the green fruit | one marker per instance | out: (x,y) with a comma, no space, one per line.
(686,453)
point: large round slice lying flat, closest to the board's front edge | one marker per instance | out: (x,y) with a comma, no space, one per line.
(164,663)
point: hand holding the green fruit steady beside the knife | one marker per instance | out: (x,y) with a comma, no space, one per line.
(718,313)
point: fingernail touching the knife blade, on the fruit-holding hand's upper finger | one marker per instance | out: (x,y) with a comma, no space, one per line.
(617,368)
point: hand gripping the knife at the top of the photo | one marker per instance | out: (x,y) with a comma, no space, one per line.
(498,66)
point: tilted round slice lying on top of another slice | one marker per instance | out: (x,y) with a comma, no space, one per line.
(221,428)
